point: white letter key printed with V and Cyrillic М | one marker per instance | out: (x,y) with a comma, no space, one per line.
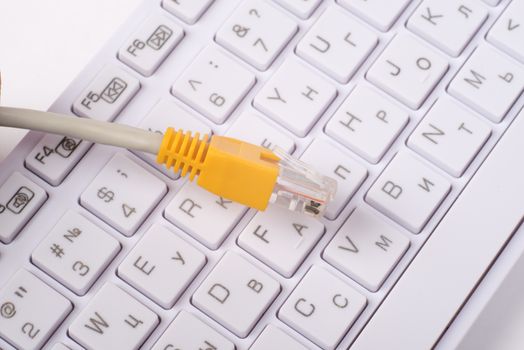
(366,249)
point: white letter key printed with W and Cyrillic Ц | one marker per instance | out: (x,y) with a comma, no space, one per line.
(113,317)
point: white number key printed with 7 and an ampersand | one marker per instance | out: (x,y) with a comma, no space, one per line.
(256,32)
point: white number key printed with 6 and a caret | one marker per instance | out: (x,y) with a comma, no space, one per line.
(202,84)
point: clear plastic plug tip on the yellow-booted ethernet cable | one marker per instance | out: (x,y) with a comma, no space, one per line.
(301,188)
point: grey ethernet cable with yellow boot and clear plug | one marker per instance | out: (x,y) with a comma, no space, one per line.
(232,169)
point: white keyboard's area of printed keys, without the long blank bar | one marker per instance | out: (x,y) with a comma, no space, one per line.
(400,101)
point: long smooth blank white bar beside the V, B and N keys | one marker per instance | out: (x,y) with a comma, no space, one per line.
(459,251)
